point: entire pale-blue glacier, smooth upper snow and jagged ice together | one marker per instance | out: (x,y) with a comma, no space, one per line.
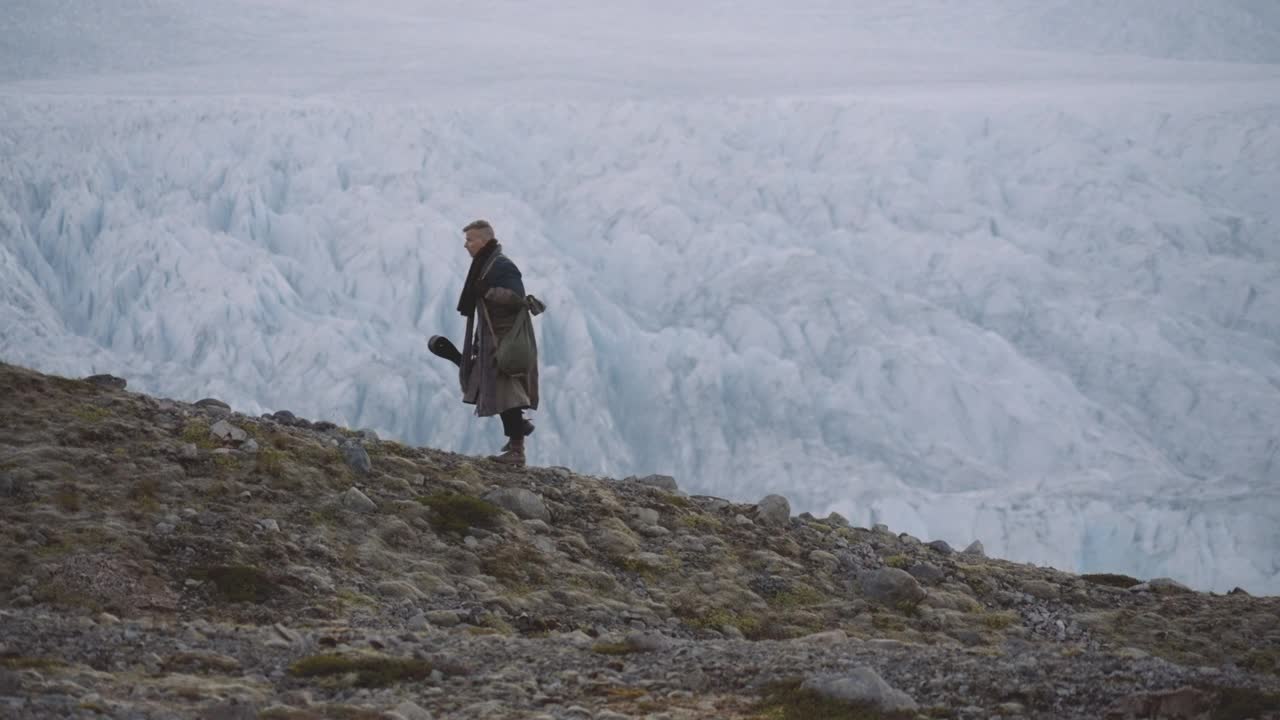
(1009,276)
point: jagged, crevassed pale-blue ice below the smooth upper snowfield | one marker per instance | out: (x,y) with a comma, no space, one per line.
(1053,329)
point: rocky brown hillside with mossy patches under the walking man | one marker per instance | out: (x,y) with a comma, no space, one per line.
(173,560)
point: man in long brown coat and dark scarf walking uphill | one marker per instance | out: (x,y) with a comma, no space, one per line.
(492,299)
